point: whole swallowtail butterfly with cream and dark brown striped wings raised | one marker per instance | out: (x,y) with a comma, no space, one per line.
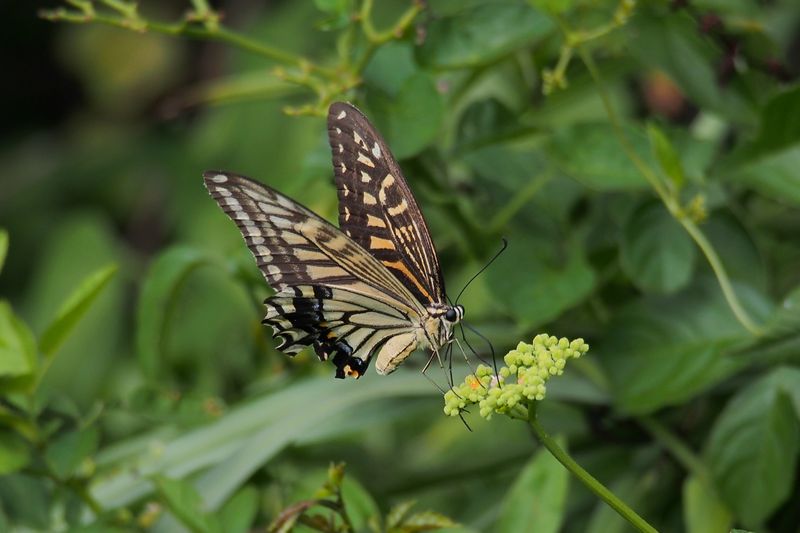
(371,287)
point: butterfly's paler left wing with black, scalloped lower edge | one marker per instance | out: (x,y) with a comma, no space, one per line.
(330,293)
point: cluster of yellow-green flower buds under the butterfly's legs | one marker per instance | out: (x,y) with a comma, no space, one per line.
(522,379)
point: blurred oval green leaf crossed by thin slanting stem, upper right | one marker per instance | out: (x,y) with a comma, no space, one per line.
(592,154)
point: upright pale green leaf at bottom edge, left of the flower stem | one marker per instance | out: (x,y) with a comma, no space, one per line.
(537,499)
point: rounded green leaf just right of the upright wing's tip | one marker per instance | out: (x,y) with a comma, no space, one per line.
(412,119)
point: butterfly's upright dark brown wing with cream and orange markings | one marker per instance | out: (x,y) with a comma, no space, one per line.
(376,207)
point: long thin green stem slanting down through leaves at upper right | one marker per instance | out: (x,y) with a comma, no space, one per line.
(669,200)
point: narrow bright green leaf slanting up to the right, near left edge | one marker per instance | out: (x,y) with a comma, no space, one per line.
(74,308)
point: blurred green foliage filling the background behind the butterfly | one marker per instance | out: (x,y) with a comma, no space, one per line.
(651,200)
